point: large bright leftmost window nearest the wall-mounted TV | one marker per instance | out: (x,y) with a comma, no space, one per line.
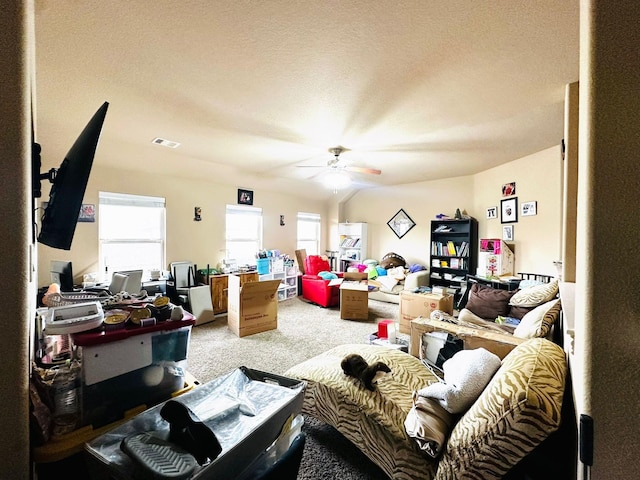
(132,232)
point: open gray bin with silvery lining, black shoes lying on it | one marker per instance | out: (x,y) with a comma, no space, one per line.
(248,410)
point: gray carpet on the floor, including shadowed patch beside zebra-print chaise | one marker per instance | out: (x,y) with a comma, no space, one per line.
(304,330)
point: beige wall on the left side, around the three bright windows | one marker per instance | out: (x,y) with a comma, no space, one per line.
(200,242)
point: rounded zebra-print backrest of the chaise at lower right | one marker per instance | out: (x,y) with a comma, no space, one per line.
(519,409)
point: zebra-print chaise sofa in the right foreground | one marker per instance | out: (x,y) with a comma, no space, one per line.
(518,409)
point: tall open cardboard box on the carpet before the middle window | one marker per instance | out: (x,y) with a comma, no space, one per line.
(252,308)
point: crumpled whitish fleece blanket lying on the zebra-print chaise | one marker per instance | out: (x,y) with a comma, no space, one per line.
(466,374)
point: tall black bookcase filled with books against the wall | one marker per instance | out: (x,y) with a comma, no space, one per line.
(454,247)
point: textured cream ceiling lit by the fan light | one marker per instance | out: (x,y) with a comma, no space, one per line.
(419,89)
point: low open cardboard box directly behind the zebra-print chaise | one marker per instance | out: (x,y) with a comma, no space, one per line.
(495,342)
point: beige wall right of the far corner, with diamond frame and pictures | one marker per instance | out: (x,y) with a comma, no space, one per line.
(538,178)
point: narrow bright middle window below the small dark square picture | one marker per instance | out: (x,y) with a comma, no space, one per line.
(243,234)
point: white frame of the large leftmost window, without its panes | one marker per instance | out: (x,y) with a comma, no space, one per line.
(129,200)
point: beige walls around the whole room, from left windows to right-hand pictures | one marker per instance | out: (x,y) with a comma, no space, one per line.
(537,238)
